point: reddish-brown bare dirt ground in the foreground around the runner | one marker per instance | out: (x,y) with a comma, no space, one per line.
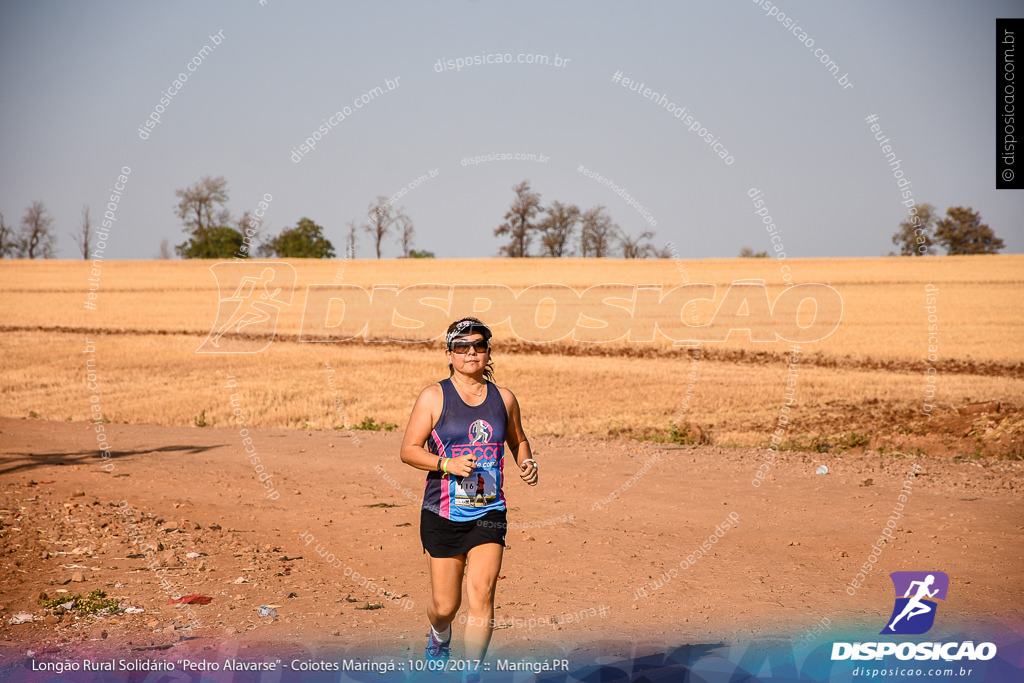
(185,506)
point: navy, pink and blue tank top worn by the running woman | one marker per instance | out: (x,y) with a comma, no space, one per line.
(464,430)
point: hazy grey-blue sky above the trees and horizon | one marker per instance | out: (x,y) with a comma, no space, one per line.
(79,79)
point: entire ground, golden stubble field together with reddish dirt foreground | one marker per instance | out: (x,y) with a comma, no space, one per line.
(626,513)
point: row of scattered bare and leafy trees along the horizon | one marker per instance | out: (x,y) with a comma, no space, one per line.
(559,230)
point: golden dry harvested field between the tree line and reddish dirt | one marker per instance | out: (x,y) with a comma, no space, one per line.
(864,386)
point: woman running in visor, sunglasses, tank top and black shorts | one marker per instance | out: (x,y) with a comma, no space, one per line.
(457,433)
